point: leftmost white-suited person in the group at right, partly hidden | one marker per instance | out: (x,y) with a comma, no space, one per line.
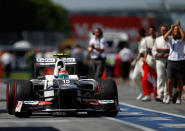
(138,70)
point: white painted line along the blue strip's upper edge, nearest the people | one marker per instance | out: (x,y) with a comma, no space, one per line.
(146,109)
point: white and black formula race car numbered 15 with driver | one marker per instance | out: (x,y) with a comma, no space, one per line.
(60,94)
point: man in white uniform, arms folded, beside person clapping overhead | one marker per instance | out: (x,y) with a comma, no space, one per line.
(160,51)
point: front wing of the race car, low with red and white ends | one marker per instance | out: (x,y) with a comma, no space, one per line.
(46,106)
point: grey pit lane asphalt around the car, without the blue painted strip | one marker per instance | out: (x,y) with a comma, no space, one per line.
(127,94)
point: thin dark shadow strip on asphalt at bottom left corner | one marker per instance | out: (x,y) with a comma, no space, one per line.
(28,129)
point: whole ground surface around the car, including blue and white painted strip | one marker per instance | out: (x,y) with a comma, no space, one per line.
(134,116)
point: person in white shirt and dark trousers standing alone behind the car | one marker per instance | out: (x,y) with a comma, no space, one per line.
(96,49)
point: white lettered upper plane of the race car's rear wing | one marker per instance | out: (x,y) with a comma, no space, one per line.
(52,61)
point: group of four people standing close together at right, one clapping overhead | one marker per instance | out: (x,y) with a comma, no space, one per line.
(165,55)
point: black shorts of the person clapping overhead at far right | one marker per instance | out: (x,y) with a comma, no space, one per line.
(175,69)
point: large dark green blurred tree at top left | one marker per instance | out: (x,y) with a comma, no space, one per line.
(32,15)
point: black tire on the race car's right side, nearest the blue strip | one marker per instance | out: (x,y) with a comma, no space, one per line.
(108,91)
